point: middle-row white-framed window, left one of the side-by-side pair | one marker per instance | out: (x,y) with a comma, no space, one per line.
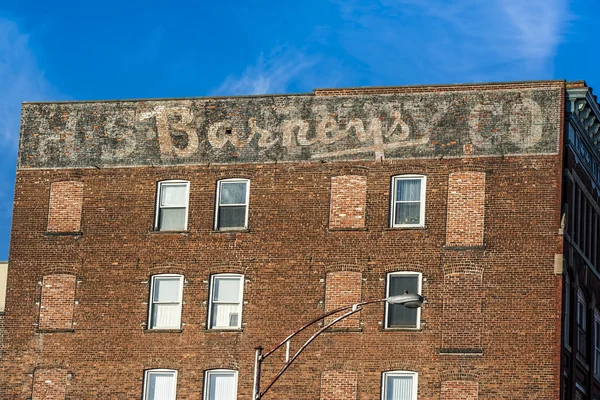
(165,302)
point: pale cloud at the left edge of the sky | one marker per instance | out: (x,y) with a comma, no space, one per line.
(21,79)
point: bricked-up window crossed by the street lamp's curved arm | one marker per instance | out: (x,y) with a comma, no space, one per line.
(343,288)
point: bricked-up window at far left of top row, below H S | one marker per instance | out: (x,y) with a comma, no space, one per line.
(66,200)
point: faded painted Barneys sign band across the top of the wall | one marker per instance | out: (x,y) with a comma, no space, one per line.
(291,128)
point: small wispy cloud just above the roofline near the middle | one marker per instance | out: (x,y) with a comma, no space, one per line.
(271,74)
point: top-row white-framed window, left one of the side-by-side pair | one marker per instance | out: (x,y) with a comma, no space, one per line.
(172,206)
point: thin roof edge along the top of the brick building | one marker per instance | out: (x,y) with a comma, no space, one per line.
(350,88)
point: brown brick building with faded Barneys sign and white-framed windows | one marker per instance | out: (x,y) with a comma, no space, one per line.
(156,243)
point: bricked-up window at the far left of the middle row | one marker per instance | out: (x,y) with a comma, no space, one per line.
(58,296)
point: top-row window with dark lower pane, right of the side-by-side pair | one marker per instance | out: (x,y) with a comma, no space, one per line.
(232,204)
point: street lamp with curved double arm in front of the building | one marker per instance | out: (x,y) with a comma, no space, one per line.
(409,300)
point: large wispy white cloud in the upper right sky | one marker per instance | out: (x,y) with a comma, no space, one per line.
(462,40)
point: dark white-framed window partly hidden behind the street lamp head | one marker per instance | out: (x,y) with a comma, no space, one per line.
(396,315)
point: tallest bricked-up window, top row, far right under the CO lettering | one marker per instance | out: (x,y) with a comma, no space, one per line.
(466,209)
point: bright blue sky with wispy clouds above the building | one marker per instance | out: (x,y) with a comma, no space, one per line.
(59,50)
